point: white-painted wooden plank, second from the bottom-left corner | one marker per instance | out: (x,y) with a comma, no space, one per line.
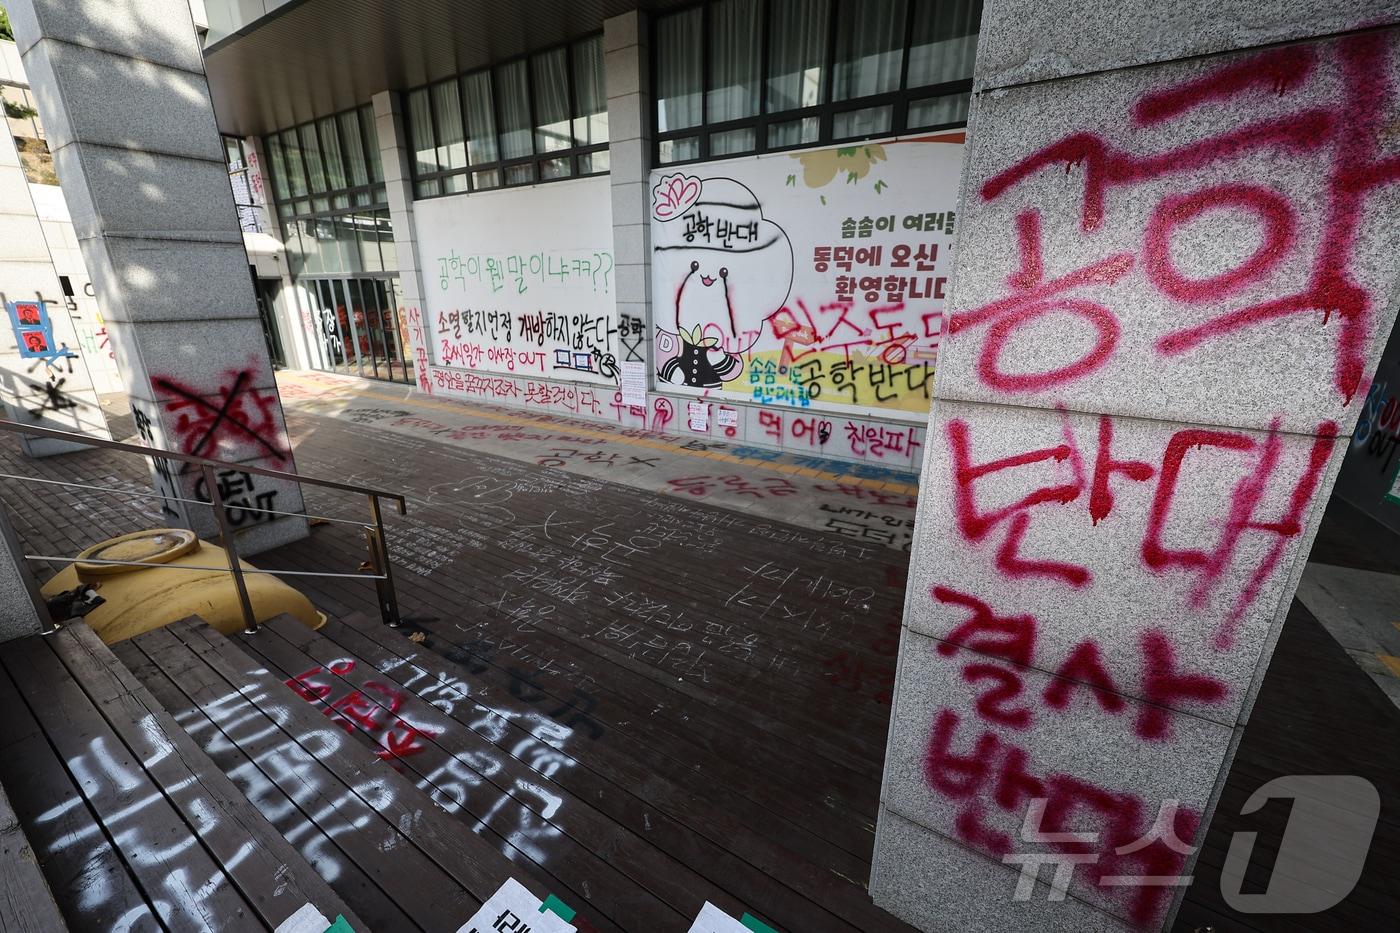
(87,878)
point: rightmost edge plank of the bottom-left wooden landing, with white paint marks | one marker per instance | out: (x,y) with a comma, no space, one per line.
(272,878)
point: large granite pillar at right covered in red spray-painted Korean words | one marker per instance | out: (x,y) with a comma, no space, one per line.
(1175,275)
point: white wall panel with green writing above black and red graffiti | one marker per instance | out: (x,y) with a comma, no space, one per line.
(521,281)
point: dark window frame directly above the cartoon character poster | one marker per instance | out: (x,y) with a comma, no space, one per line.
(825,113)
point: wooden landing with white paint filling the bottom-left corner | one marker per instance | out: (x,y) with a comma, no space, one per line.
(131,826)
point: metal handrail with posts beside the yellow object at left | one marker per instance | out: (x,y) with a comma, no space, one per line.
(379,561)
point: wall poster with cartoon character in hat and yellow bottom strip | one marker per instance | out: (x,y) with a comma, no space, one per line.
(807,279)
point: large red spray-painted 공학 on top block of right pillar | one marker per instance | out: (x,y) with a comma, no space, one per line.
(1345,132)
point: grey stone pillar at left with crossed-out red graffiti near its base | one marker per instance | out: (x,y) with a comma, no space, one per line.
(128,114)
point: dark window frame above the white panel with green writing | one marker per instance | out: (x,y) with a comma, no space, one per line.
(503,166)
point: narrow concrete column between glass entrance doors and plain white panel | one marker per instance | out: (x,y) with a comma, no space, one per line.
(398,181)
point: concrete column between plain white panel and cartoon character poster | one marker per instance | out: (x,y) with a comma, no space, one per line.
(628,76)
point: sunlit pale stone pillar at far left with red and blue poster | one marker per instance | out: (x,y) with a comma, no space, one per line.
(44,380)
